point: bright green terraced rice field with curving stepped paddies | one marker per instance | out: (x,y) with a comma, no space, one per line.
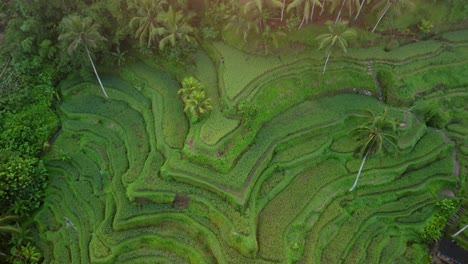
(132,182)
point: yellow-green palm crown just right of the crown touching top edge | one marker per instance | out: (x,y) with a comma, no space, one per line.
(175,28)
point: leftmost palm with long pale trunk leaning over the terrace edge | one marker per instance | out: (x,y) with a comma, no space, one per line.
(77,30)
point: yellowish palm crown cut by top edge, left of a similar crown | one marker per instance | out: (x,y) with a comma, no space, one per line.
(146,22)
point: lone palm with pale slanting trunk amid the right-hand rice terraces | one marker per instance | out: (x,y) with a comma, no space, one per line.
(377,135)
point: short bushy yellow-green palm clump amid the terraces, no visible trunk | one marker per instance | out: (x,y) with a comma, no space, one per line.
(193,95)
